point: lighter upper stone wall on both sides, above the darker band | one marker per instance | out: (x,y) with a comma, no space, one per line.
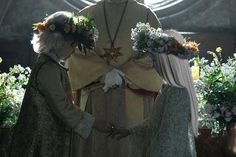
(17,16)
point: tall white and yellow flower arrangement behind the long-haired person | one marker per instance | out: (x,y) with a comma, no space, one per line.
(216,91)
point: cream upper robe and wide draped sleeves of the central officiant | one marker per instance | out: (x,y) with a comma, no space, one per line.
(86,69)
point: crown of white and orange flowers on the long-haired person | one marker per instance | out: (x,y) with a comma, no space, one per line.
(149,39)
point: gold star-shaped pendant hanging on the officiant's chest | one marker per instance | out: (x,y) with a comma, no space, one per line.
(112,54)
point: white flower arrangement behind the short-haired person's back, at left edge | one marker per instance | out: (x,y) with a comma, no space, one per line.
(12,89)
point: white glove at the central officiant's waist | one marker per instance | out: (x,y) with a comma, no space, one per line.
(113,78)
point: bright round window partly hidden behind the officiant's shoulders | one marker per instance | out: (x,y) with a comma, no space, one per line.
(161,7)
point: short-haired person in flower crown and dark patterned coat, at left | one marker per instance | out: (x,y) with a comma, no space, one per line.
(48,116)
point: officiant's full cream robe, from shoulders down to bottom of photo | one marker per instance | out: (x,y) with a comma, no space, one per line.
(119,105)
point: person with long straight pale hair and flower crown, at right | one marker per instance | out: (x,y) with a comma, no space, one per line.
(171,128)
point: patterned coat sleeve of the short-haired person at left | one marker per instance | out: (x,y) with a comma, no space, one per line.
(50,85)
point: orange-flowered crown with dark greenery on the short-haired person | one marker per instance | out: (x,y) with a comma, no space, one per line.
(80,29)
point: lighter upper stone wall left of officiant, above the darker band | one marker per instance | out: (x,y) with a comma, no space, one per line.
(17,16)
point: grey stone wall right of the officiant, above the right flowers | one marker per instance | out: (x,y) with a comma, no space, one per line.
(212,21)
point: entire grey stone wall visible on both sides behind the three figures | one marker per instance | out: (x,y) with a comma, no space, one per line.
(209,19)
